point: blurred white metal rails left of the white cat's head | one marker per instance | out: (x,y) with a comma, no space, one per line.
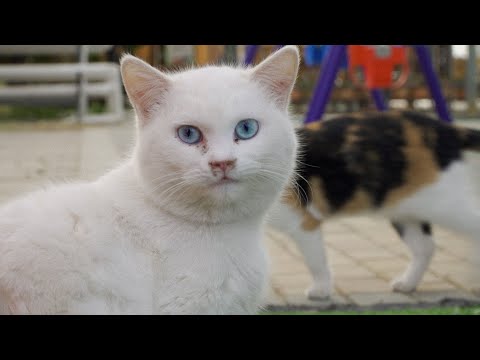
(63,83)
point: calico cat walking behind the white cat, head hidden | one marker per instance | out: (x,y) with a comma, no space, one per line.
(406,166)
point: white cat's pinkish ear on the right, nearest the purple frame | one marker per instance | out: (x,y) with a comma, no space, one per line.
(278,73)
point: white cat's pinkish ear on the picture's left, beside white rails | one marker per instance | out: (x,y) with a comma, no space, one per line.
(145,86)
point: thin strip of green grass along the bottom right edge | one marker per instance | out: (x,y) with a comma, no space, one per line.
(427,311)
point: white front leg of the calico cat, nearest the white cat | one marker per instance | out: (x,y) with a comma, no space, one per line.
(308,237)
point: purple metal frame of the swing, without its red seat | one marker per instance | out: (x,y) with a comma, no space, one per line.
(329,72)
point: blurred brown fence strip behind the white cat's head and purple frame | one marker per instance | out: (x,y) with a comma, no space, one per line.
(452,63)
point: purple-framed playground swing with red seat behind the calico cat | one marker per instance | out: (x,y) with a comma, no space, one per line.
(377,63)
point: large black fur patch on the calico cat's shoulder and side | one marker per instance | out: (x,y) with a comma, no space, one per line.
(345,167)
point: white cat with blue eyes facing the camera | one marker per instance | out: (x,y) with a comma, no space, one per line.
(177,228)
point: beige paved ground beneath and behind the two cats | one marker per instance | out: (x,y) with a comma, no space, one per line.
(364,253)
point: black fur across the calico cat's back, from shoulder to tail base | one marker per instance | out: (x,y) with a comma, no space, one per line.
(349,153)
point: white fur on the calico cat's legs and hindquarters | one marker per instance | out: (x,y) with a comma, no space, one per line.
(449,202)
